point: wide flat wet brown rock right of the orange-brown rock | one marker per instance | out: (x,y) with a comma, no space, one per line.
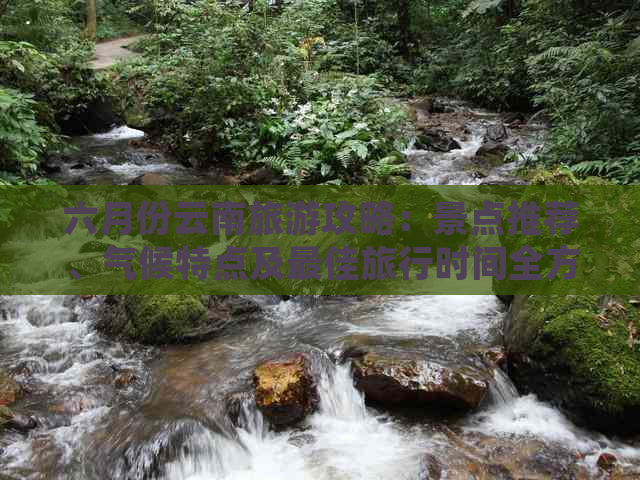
(394,382)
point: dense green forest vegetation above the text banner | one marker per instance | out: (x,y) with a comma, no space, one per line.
(305,87)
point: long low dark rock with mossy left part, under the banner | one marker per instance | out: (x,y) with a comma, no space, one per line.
(163,319)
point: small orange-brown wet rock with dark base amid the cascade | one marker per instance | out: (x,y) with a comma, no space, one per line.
(285,391)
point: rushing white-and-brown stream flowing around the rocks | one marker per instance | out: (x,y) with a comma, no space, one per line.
(171,422)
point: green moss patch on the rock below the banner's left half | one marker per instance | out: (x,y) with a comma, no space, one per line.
(163,318)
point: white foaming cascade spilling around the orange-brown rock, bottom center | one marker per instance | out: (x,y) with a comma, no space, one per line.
(342,440)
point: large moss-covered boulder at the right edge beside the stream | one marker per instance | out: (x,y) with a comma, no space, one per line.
(581,353)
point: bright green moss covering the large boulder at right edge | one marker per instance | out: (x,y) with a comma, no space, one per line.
(592,344)
